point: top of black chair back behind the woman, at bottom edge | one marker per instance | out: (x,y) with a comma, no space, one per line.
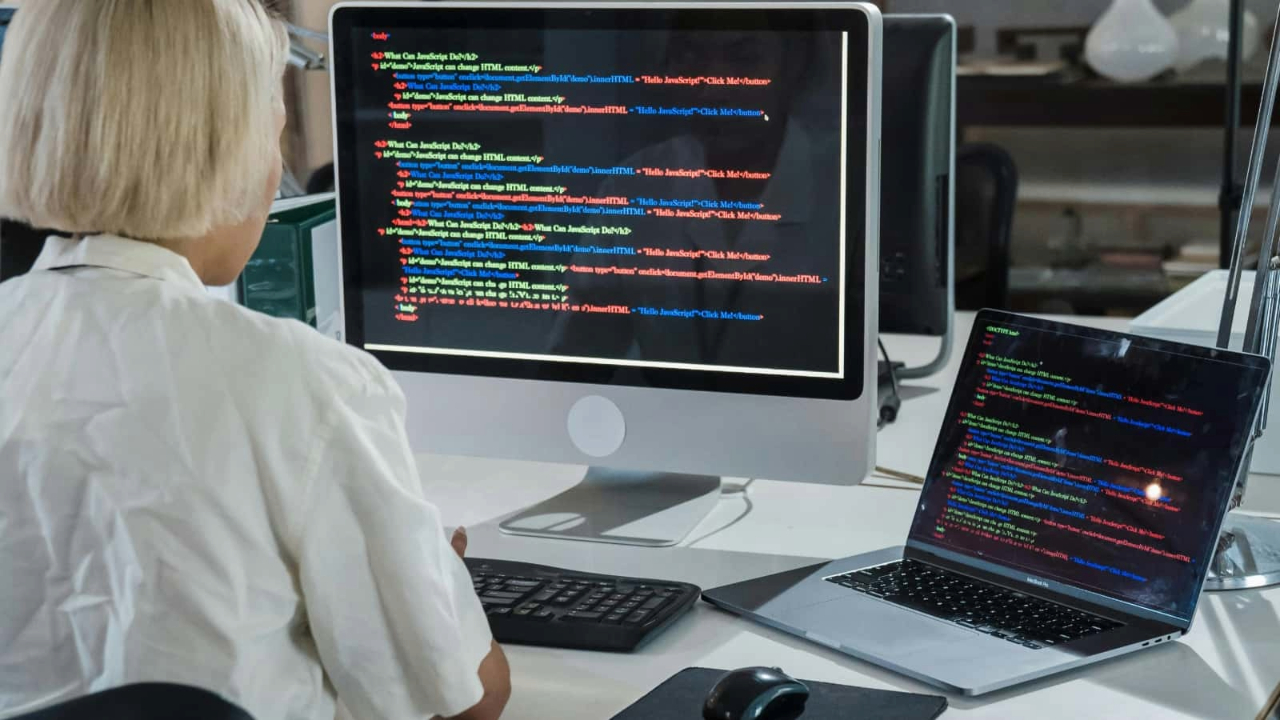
(149,701)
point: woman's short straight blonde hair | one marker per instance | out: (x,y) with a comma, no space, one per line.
(150,120)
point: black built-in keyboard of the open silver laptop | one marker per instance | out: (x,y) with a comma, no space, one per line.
(975,604)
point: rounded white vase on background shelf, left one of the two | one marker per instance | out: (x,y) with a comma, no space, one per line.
(1132,43)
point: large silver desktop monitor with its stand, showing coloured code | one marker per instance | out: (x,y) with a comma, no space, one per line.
(634,236)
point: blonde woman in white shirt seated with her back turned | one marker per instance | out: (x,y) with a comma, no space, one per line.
(191,493)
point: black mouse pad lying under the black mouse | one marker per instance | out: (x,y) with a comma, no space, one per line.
(682,699)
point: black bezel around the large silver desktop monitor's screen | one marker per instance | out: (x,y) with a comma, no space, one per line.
(862,190)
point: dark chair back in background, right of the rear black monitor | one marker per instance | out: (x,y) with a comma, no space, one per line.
(986,197)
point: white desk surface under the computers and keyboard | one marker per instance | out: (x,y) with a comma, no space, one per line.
(1226,669)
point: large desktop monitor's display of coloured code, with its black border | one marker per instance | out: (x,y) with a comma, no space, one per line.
(638,198)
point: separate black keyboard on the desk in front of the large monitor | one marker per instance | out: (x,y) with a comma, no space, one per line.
(555,608)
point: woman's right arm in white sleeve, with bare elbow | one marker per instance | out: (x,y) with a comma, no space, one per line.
(397,625)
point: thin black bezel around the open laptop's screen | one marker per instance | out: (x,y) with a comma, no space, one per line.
(920,546)
